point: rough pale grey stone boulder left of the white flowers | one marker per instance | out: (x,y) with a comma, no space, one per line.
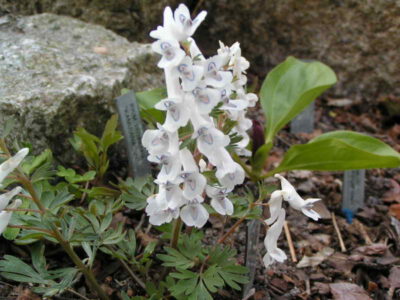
(58,73)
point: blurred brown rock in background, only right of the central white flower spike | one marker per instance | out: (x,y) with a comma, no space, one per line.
(359,39)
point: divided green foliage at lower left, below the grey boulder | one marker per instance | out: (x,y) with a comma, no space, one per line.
(46,214)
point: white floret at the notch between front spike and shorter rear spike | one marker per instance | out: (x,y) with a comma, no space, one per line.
(213,75)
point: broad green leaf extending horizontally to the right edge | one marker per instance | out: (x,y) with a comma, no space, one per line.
(340,150)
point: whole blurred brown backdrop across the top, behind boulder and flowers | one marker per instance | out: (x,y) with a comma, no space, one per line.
(359,39)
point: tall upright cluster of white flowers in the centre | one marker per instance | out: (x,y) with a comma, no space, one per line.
(196,86)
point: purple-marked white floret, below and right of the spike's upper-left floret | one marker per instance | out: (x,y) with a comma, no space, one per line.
(189,73)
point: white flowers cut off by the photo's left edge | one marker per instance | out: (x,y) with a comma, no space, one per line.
(6,168)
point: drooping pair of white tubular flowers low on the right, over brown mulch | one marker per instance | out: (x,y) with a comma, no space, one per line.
(277,217)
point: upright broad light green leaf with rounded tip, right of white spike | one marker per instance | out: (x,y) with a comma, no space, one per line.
(289,88)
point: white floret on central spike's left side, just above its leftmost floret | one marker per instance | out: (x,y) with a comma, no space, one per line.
(178,113)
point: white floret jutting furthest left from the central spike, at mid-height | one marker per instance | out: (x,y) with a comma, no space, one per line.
(158,141)
